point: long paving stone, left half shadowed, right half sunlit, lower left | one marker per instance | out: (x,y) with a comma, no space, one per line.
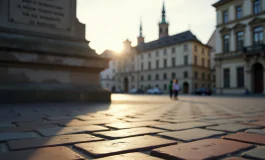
(50,141)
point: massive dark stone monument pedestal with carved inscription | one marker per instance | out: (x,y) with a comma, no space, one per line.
(44,56)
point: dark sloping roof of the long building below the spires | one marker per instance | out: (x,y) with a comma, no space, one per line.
(166,41)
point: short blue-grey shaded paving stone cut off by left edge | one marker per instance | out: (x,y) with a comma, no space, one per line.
(11,136)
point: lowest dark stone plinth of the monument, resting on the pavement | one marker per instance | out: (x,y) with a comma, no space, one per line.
(39,93)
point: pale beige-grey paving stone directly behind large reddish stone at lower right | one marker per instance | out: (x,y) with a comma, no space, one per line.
(192,134)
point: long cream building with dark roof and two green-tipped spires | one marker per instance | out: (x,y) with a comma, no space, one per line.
(154,64)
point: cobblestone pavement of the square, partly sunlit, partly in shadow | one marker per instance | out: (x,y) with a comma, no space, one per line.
(135,127)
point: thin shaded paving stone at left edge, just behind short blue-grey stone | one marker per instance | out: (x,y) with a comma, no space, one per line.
(25,129)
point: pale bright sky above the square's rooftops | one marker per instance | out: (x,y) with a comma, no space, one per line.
(110,22)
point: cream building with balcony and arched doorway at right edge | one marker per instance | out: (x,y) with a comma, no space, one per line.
(240,59)
